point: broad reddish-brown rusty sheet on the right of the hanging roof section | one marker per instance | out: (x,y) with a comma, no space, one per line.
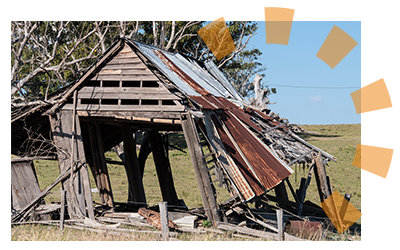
(269,169)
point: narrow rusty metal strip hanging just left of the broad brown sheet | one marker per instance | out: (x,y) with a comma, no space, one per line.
(237,158)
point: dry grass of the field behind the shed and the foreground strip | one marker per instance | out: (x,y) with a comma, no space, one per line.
(338,140)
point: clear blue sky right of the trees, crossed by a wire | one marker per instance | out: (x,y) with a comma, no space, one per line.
(296,64)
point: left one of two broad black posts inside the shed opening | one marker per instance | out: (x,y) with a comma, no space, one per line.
(132,166)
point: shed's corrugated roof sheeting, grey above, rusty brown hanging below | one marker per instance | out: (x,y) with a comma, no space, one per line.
(259,168)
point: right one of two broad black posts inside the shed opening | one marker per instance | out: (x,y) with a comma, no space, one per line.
(163,169)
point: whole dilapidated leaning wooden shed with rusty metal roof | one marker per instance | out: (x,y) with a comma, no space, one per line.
(135,86)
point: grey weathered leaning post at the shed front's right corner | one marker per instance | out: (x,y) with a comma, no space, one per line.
(200,168)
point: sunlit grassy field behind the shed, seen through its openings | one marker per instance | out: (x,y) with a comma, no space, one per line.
(338,140)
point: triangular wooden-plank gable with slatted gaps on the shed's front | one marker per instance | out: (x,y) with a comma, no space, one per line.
(121,83)
